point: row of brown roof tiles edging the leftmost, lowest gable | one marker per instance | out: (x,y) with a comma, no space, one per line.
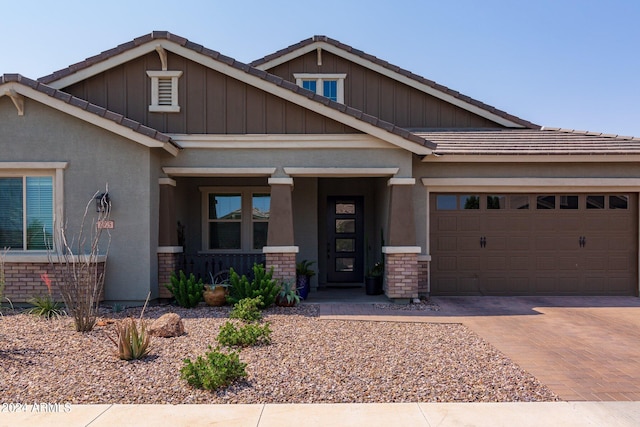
(85,105)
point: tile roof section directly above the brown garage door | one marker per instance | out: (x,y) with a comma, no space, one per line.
(528,141)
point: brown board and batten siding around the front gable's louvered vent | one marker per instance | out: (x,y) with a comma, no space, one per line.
(210,102)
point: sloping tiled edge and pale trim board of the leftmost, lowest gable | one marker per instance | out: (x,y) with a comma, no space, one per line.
(15,86)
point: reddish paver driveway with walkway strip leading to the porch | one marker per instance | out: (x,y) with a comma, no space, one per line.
(582,348)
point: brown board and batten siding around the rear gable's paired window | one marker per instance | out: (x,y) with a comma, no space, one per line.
(383,97)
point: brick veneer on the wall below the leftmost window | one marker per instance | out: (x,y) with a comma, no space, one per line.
(23,280)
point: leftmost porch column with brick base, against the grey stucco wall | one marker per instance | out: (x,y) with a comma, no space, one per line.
(169,253)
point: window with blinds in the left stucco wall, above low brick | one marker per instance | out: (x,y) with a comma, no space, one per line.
(26,212)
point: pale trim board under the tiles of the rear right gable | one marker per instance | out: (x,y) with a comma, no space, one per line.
(393,75)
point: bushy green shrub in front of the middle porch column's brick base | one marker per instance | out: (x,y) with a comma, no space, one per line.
(262,284)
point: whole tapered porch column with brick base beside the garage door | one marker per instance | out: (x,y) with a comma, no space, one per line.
(401,252)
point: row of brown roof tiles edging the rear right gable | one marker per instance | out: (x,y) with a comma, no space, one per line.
(396,69)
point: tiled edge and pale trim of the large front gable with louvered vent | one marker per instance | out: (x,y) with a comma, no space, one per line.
(244,73)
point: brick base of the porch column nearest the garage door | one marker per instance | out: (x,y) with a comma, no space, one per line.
(401,276)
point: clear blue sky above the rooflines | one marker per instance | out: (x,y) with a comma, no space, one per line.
(561,63)
